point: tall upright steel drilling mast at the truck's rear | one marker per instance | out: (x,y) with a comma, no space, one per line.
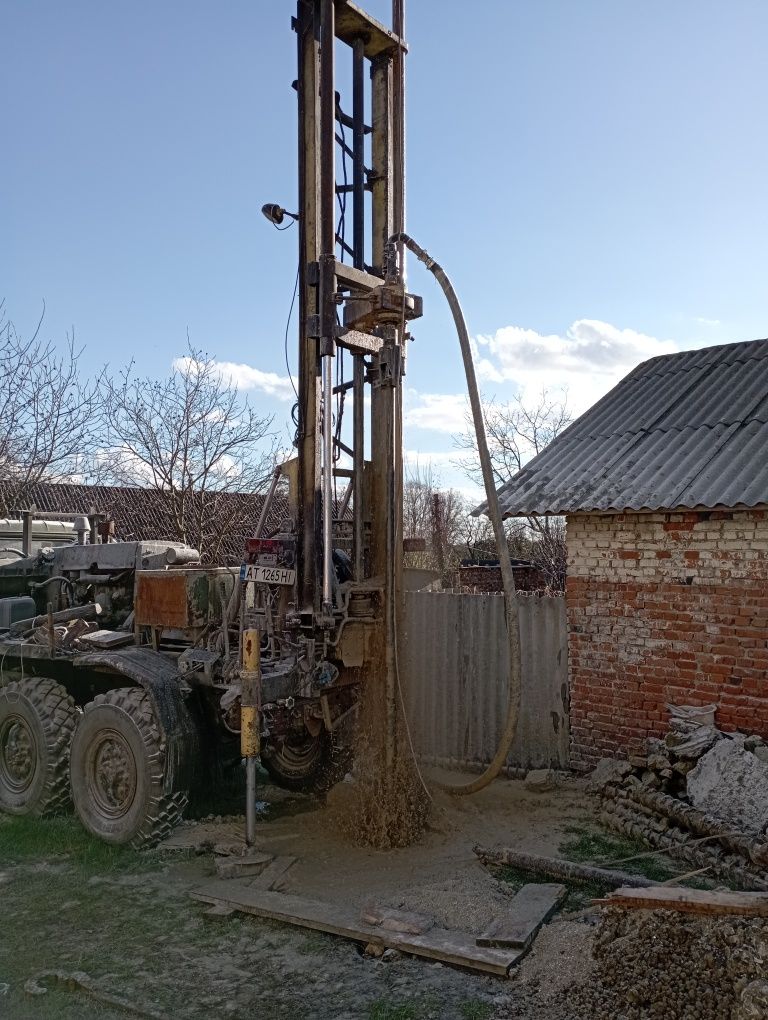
(346,482)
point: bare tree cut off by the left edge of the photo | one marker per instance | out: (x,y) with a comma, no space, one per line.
(47,413)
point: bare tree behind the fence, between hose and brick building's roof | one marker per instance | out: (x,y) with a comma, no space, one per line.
(518,432)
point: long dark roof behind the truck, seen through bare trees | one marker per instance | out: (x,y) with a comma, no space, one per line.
(144,514)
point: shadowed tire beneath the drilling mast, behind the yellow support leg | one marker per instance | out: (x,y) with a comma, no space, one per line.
(306,764)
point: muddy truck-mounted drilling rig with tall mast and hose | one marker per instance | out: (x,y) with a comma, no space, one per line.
(188,667)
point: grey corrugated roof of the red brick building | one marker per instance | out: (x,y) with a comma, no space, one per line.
(683,431)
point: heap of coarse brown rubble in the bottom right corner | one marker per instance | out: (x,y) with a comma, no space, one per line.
(653,964)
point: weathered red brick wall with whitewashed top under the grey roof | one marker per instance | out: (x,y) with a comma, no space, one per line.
(665,608)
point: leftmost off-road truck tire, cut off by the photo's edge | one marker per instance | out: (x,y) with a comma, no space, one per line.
(37,723)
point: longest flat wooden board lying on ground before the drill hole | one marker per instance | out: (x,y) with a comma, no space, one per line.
(455,948)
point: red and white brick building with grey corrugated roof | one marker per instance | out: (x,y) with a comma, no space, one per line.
(664,485)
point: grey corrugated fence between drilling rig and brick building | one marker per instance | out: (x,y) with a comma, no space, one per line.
(455,672)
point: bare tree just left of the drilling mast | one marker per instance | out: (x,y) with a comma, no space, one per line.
(193,439)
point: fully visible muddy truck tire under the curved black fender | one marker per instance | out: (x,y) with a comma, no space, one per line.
(118,772)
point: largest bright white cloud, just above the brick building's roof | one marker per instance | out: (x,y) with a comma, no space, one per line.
(588,360)
